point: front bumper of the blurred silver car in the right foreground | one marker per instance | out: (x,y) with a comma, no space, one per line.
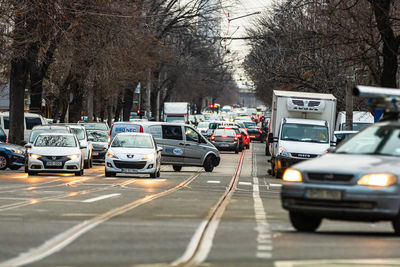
(358,203)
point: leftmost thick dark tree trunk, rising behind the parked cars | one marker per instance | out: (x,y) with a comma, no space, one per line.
(18,76)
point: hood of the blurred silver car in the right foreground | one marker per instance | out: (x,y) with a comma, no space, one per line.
(352,164)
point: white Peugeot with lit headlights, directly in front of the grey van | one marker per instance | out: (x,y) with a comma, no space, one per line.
(133,153)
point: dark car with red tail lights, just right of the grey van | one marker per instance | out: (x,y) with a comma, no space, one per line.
(226,139)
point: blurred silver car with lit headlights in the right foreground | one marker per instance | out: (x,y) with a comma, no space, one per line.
(360,181)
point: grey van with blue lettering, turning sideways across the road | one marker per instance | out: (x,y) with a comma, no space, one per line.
(182,144)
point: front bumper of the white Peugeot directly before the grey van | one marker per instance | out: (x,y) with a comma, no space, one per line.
(131,167)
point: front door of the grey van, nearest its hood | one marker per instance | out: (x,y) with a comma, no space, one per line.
(194,147)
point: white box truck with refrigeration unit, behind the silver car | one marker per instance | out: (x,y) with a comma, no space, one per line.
(301,127)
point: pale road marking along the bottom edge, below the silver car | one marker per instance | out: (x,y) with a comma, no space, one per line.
(337,262)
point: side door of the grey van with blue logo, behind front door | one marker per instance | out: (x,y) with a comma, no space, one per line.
(172,143)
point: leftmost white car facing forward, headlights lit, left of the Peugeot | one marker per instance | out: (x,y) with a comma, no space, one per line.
(55,152)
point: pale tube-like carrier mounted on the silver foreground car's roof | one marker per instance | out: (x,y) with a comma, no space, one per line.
(379,98)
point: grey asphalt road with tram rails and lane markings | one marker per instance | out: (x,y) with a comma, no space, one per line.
(230,217)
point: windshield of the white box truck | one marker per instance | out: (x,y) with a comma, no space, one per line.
(305,133)
